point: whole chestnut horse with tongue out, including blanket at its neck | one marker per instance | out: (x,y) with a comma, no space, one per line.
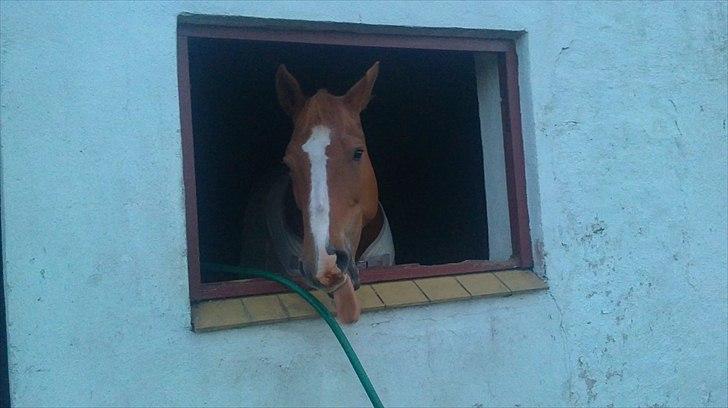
(323,218)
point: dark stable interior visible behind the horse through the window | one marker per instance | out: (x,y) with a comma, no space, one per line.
(422,129)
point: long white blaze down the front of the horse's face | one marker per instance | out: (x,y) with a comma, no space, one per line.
(318,204)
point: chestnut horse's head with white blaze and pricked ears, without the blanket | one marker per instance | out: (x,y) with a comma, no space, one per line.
(332,177)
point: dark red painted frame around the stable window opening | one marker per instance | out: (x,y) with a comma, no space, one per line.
(513,144)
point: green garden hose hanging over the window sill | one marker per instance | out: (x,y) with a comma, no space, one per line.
(321,309)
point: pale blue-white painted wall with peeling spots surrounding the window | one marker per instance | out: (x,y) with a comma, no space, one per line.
(624,113)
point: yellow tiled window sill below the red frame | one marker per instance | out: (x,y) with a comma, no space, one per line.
(239,312)
